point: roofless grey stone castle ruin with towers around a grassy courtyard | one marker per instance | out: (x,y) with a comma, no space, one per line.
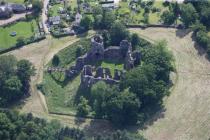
(97,53)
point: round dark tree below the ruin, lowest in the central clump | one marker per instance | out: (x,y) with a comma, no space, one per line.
(123,109)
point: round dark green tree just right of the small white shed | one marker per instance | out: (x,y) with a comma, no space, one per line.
(87,22)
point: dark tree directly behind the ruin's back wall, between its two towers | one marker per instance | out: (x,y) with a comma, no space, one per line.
(118,32)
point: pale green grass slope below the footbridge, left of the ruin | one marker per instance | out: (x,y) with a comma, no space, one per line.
(60,99)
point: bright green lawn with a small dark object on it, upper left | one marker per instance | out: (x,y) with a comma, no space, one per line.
(23,29)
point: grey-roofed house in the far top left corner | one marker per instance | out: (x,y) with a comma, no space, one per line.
(5,11)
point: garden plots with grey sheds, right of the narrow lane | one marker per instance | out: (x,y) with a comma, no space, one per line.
(61,15)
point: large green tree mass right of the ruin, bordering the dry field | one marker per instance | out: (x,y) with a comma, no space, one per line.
(149,81)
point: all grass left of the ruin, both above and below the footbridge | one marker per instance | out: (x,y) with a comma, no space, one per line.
(61,93)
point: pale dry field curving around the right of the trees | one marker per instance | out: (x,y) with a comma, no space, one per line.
(188,107)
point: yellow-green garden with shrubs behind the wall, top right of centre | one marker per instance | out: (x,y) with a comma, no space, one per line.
(132,12)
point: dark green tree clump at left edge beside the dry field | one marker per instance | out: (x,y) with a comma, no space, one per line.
(14,78)
